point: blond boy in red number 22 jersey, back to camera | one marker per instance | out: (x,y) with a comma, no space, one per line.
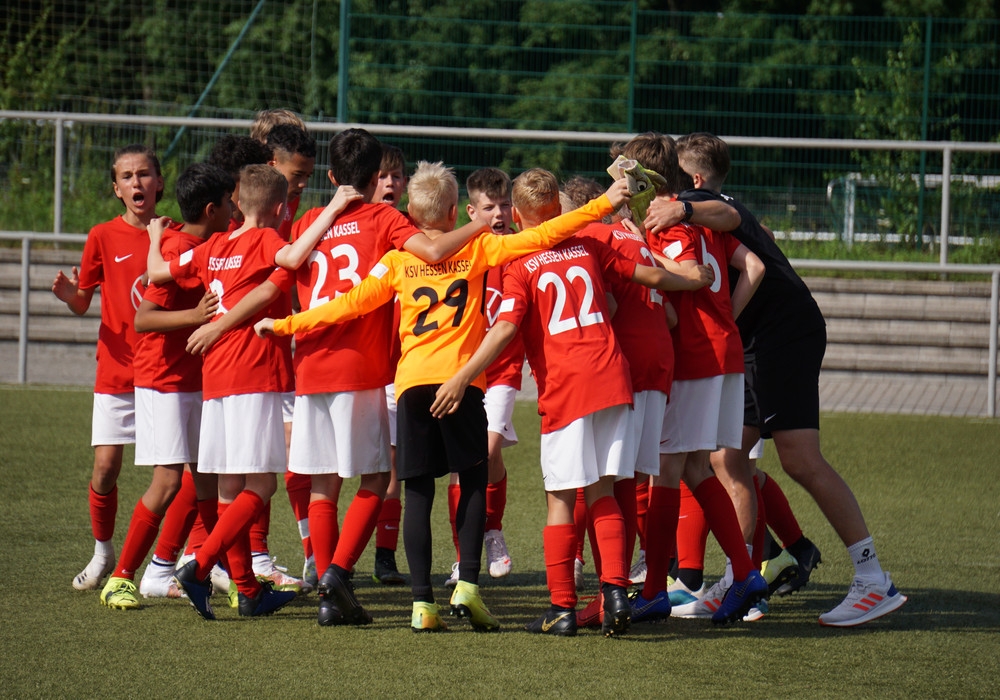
(556,299)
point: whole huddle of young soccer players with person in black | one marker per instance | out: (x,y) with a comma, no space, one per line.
(700,335)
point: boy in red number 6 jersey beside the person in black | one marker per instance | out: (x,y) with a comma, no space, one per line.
(703,415)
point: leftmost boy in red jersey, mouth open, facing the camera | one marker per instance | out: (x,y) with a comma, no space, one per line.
(114,259)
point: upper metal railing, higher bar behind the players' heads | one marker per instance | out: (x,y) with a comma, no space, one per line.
(943,179)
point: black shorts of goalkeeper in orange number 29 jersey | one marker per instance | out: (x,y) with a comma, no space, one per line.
(428,446)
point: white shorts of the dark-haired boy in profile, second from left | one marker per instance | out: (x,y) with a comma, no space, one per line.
(167,426)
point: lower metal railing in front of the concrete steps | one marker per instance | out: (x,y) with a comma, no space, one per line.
(27,238)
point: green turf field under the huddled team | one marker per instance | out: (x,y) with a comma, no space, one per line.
(928,486)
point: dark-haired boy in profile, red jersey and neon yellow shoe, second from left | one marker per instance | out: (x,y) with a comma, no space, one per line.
(168,385)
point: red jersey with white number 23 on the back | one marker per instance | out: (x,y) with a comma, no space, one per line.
(357,354)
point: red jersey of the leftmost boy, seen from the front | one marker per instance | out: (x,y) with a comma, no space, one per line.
(114,257)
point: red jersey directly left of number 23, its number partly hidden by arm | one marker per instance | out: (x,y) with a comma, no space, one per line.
(240,362)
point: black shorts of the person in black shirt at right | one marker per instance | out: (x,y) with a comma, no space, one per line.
(783,384)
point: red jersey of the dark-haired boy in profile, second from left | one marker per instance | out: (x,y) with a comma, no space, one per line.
(161,361)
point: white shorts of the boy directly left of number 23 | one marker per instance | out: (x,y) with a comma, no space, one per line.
(242,434)
